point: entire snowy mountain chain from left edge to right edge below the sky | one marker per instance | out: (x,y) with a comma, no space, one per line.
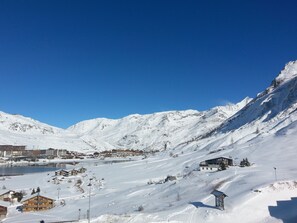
(272,110)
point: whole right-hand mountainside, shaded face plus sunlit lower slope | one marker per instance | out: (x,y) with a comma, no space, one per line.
(273,109)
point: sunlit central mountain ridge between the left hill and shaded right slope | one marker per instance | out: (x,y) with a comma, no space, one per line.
(156,131)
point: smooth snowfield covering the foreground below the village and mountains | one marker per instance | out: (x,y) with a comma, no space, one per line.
(253,192)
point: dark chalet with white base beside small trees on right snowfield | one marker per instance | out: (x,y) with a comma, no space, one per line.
(215,164)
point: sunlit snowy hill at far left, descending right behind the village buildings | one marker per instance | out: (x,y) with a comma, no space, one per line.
(20,130)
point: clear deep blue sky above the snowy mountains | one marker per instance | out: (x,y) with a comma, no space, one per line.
(62,62)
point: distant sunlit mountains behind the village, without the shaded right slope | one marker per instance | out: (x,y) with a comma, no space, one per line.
(144,132)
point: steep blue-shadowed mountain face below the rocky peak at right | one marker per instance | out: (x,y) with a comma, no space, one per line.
(277,101)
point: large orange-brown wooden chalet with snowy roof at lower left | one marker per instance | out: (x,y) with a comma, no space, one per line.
(37,203)
